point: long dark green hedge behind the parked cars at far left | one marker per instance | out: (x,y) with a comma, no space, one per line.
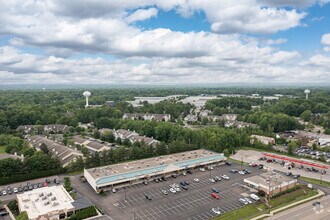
(30,176)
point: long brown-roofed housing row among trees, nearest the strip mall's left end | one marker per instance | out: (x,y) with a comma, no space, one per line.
(64,153)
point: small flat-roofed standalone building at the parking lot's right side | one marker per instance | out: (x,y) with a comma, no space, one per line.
(271,183)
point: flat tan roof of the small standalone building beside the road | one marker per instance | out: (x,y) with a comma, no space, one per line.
(276,179)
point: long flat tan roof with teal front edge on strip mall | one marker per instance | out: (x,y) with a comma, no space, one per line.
(159,164)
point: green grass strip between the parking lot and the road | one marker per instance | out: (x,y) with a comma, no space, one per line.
(253,210)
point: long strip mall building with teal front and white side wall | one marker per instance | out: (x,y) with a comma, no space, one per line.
(124,174)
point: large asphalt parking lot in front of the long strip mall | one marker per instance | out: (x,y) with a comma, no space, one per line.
(194,203)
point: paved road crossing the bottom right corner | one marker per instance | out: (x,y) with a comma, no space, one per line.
(306,211)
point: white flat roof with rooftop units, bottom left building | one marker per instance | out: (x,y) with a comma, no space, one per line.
(44,200)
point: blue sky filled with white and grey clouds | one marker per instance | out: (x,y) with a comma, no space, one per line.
(164,42)
